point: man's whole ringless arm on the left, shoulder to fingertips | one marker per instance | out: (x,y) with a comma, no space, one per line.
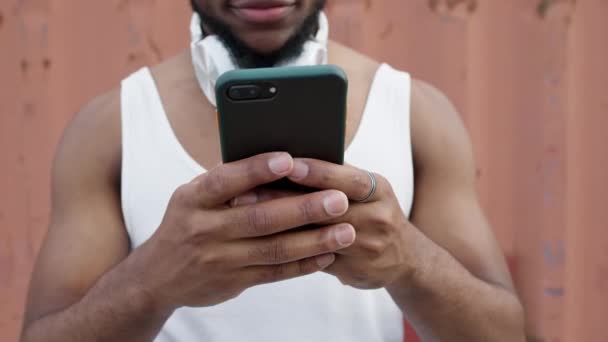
(88,287)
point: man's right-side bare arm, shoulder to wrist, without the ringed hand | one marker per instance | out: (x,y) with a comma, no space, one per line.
(463,291)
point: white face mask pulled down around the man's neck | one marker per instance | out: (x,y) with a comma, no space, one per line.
(211,58)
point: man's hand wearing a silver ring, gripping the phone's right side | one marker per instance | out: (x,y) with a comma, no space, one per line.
(383,250)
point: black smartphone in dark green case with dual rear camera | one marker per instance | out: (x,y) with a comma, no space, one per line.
(300,110)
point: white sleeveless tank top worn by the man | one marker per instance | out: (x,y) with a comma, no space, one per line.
(311,308)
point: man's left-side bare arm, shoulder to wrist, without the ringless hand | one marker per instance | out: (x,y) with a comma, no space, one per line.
(86,239)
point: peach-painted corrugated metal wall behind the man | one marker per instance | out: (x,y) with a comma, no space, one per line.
(528,76)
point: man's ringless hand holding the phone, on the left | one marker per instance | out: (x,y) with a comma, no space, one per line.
(206,252)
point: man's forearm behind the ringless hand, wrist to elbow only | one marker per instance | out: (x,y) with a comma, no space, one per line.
(115,309)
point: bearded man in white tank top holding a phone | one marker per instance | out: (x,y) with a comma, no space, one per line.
(151,238)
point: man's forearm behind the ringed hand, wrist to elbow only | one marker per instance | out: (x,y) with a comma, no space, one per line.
(445,302)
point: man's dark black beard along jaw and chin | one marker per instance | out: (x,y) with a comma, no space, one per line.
(246,57)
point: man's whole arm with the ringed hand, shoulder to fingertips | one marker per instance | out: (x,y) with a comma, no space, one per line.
(444,268)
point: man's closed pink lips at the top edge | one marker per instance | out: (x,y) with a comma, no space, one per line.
(262,11)
